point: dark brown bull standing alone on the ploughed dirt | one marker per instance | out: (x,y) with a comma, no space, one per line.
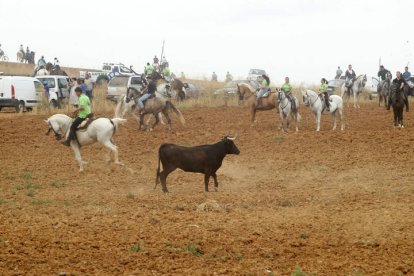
(206,159)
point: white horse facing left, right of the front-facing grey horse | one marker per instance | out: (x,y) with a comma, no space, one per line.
(317,106)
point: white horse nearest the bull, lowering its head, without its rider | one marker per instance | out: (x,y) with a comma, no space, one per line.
(100,130)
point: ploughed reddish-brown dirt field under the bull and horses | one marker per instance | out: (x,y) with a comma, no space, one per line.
(329,203)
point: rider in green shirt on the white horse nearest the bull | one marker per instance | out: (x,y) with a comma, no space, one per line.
(82,112)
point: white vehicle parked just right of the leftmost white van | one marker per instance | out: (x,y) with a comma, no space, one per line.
(58,88)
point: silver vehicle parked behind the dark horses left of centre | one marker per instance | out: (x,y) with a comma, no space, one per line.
(119,85)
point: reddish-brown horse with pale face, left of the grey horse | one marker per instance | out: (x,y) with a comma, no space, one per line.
(247,93)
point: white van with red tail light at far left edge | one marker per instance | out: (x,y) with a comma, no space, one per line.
(19,92)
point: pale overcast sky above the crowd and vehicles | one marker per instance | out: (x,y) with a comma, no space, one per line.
(305,40)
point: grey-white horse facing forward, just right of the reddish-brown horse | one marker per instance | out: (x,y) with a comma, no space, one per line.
(286,112)
